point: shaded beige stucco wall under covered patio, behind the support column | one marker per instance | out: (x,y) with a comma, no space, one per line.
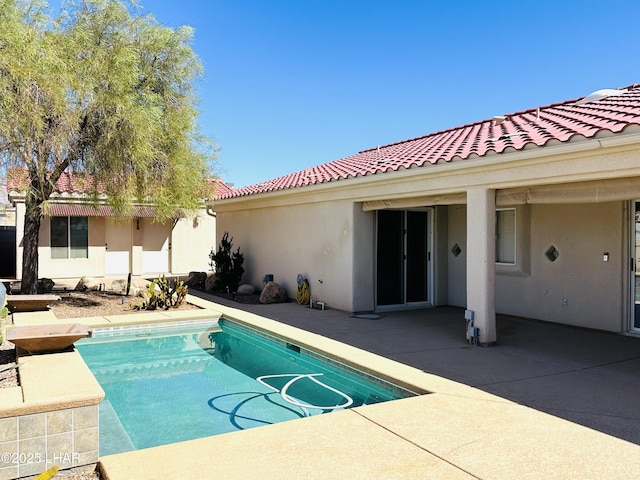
(579,288)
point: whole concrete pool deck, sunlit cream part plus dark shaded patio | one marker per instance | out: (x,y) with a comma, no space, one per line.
(474,427)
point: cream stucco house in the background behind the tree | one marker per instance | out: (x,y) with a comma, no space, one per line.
(78,239)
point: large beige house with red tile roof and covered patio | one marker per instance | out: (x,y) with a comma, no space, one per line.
(534,213)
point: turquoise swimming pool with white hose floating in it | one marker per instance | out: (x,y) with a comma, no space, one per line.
(174,382)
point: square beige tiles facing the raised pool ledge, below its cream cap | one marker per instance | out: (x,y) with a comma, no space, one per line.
(32,443)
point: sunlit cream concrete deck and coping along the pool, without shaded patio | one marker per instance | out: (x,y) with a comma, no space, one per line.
(454,432)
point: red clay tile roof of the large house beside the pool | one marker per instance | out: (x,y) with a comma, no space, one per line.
(606,110)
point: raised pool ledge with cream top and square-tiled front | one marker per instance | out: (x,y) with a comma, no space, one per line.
(52,418)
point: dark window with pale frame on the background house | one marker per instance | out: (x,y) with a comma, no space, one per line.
(69,237)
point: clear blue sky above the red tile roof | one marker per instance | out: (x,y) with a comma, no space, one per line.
(290,84)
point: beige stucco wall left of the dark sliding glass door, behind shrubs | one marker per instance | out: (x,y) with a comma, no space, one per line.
(316,240)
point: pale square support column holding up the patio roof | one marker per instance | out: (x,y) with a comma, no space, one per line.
(481,261)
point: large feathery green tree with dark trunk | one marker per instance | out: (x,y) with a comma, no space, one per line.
(101,90)
